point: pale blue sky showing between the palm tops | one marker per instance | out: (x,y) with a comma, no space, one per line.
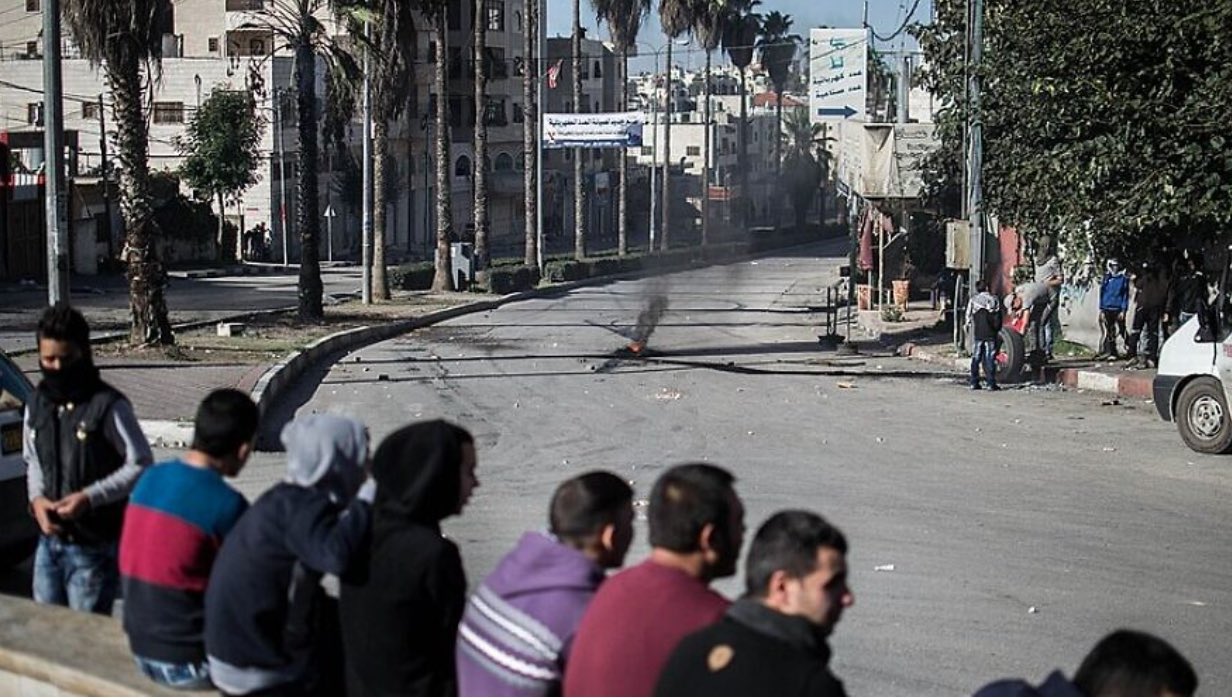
(884,15)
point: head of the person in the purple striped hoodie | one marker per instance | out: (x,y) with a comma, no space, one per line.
(594,514)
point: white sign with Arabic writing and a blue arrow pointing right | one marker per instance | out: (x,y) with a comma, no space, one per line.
(838,65)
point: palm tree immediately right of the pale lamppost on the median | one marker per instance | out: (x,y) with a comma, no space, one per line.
(395,55)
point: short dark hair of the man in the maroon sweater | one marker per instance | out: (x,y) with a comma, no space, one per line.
(684,500)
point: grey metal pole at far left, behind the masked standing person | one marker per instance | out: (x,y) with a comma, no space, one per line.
(54,158)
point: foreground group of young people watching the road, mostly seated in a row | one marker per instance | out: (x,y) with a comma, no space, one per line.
(221,594)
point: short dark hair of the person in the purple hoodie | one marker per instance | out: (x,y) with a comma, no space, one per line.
(585,505)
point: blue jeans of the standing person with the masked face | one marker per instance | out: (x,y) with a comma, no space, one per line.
(84,578)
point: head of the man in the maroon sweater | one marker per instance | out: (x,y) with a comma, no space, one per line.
(694,510)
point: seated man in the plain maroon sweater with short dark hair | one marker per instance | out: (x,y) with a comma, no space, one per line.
(640,615)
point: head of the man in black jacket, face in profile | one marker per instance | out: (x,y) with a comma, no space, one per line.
(798,567)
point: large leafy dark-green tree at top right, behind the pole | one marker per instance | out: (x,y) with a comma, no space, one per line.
(1117,154)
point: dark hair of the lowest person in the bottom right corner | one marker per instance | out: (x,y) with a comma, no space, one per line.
(1129,663)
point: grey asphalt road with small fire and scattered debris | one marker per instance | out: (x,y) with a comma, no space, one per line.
(1021,526)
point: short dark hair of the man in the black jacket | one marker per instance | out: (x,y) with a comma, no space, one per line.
(789,542)
